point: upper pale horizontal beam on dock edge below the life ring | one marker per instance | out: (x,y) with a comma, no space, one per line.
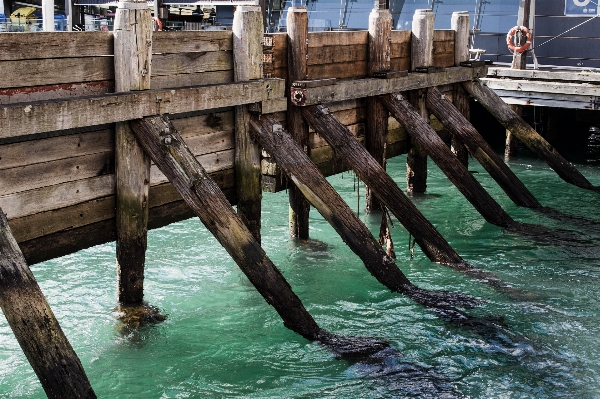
(536,86)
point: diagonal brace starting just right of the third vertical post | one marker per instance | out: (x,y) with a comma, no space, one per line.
(368,169)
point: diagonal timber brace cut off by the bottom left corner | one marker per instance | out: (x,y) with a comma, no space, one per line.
(47,348)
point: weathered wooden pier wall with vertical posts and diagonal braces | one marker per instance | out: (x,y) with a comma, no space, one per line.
(104,136)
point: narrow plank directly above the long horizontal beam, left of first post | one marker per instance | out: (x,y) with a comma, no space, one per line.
(54,92)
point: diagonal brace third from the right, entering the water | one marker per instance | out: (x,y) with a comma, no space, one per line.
(439,152)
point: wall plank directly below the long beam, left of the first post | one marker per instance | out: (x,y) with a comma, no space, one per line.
(53,148)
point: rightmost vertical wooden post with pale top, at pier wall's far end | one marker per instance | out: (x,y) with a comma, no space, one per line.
(460,26)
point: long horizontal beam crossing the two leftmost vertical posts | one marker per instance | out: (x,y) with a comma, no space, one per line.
(45,116)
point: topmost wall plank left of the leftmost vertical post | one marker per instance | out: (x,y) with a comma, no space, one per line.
(38,45)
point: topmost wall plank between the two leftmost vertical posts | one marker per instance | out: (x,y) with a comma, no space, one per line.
(191,41)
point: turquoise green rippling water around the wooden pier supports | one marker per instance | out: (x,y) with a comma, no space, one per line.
(221,339)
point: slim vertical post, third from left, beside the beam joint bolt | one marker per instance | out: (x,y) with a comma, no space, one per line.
(297,31)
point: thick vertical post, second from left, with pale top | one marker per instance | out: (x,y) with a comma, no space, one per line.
(247,61)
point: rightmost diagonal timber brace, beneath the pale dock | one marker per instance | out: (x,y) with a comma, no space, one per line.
(526,134)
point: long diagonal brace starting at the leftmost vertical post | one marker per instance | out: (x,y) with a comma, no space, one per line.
(166,148)
